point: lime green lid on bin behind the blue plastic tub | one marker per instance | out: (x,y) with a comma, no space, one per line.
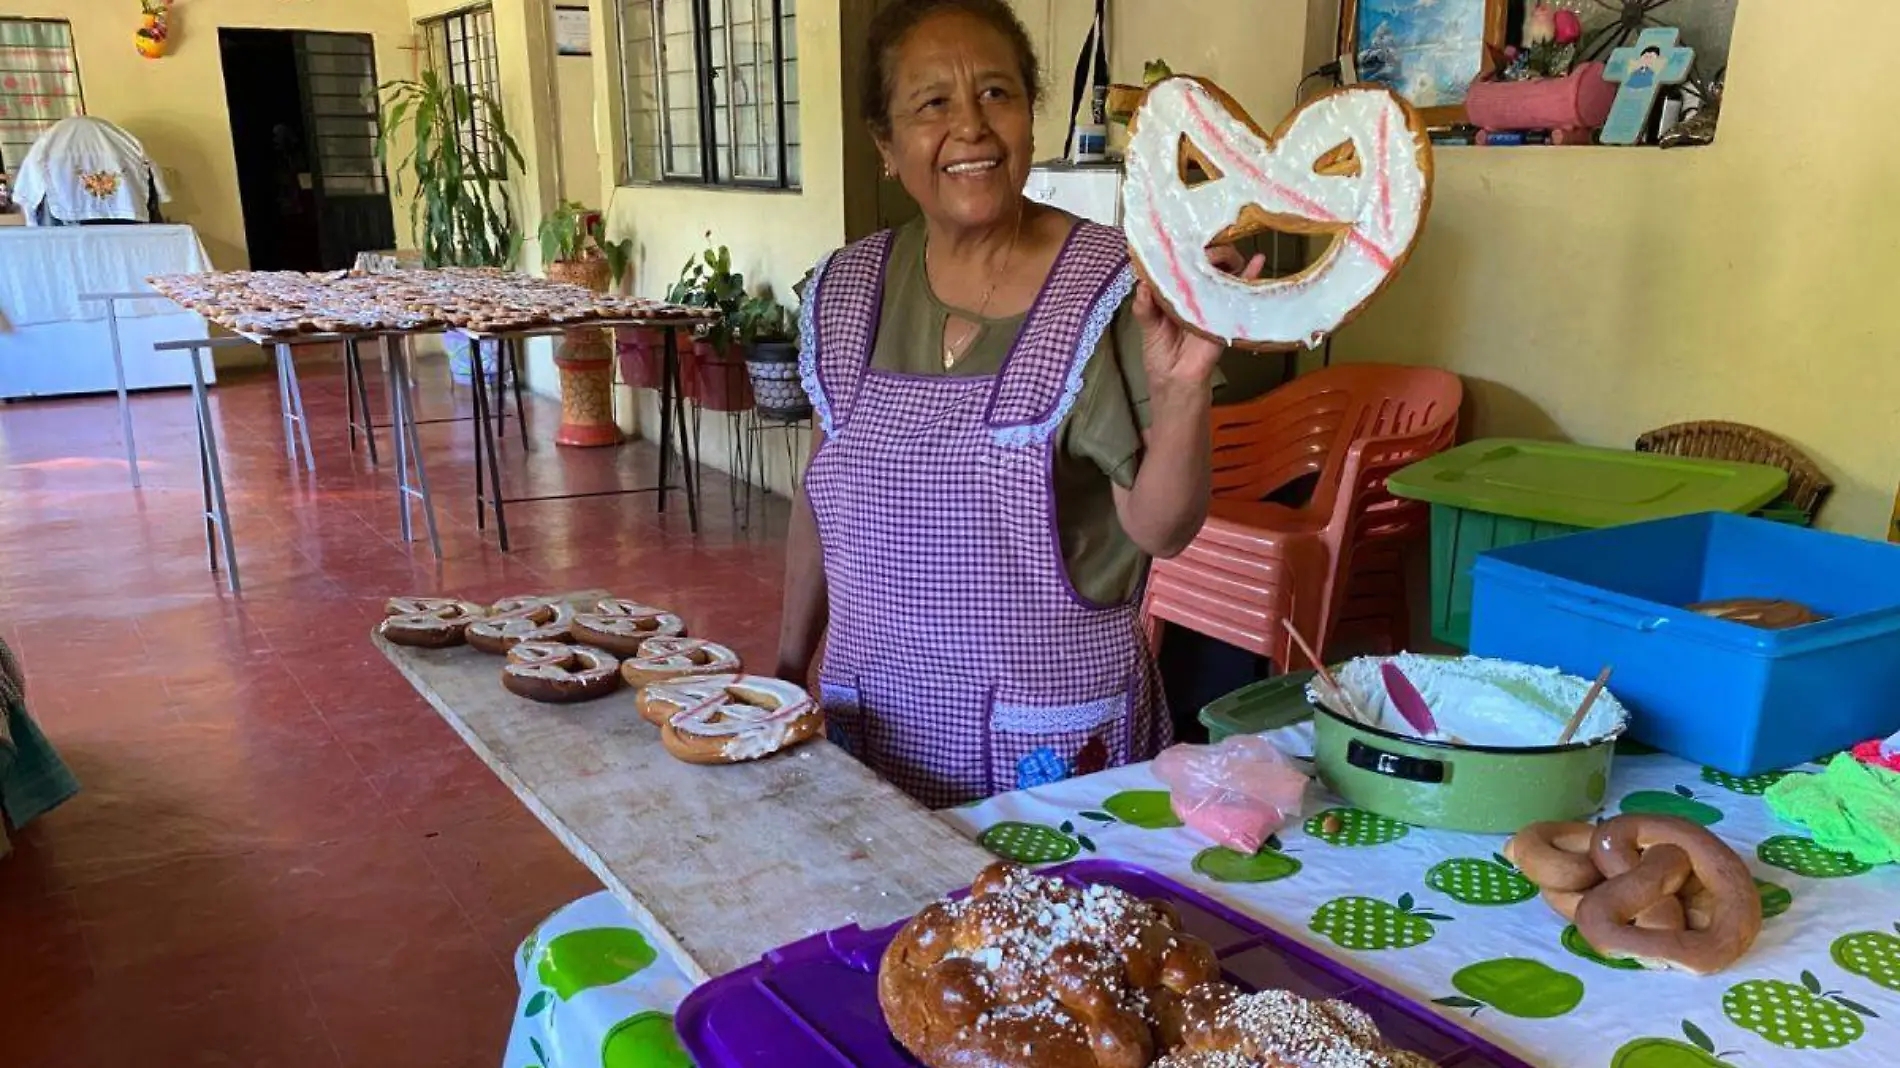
(1578,486)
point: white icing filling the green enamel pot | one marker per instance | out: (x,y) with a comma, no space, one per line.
(1487,702)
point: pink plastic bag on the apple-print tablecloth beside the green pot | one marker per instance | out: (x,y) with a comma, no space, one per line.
(1238,793)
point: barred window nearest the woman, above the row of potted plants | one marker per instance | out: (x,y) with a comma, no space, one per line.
(712,92)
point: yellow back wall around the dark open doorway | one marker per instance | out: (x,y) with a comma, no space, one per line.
(176,105)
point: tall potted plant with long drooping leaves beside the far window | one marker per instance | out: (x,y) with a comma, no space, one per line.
(463,212)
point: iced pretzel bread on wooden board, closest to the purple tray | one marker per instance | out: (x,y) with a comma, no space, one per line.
(729,719)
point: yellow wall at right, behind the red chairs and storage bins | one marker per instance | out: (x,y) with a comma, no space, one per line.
(1595,294)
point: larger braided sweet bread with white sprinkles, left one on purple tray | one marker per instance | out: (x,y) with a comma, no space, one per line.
(1033,972)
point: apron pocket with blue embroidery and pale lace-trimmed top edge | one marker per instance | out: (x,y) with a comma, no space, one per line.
(1035,746)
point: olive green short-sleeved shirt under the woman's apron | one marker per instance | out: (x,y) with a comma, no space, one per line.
(1097,448)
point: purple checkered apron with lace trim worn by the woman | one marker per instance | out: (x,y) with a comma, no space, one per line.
(960,660)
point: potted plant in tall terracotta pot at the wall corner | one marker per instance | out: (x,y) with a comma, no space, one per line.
(575,250)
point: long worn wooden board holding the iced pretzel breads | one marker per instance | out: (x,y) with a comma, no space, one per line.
(723,864)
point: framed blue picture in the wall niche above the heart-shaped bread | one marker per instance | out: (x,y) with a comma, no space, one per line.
(1428,50)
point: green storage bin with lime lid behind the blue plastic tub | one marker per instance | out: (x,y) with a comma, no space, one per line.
(1498,493)
